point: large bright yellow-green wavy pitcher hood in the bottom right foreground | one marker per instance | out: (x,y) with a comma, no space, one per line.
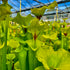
(53,59)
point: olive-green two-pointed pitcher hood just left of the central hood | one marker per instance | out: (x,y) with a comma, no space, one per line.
(23,20)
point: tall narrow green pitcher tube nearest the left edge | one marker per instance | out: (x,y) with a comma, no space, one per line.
(4,49)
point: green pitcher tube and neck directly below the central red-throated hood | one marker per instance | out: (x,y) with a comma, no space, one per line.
(33,62)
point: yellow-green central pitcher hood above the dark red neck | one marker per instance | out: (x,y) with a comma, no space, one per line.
(35,26)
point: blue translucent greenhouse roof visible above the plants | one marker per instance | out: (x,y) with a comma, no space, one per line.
(26,5)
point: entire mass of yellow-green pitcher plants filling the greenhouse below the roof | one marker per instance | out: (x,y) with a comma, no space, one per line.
(31,44)
